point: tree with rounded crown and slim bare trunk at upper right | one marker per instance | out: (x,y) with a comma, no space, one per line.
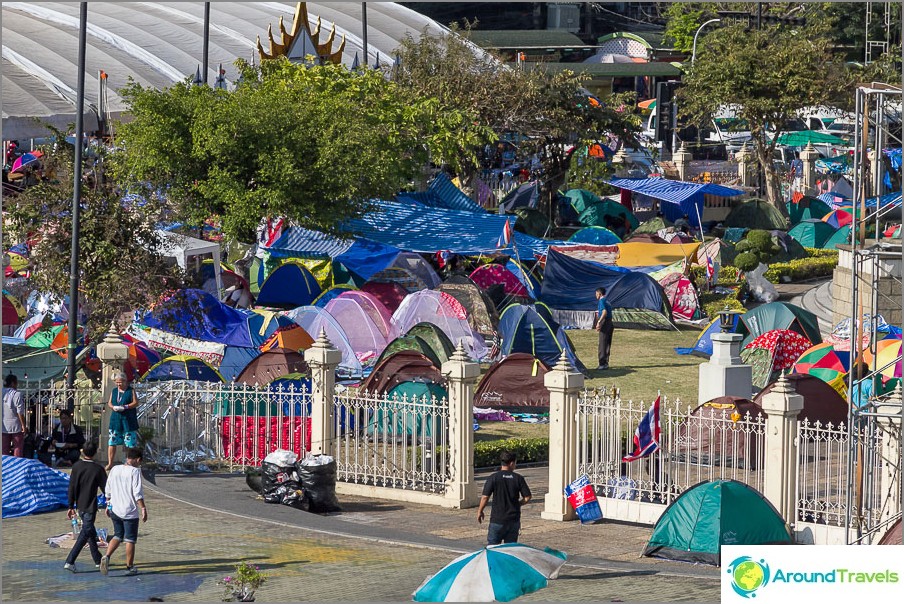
(768,75)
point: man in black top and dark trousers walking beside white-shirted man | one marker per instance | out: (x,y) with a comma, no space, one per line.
(87,478)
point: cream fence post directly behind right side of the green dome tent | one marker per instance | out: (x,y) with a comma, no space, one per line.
(782,406)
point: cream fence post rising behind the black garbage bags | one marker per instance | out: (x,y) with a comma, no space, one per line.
(323,359)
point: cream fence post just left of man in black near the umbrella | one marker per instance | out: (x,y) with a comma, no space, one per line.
(462,373)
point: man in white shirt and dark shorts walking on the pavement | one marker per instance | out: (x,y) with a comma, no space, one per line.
(125,497)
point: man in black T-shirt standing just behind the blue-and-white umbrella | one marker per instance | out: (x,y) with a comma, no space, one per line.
(509,492)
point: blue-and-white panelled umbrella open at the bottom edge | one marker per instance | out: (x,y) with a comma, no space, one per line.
(497,572)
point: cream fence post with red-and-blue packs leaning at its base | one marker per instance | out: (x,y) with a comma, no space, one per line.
(563,383)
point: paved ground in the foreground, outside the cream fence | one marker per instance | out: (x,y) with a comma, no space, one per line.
(200,525)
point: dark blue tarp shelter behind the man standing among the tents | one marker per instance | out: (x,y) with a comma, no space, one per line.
(570,284)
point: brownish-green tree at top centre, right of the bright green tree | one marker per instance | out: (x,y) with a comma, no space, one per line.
(546,113)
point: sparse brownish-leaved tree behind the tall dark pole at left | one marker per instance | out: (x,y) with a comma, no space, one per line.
(119,267)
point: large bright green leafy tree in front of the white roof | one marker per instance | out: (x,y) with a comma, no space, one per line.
(312,143)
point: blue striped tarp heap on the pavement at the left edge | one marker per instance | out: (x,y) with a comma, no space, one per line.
(30,487)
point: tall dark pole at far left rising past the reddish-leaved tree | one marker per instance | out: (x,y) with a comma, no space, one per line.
(76,207)
